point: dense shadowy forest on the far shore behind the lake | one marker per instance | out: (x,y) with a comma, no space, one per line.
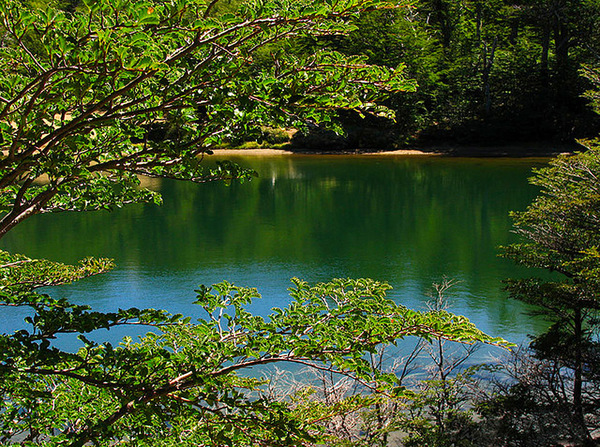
(489,73)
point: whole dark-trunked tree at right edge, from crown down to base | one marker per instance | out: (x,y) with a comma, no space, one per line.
(562,235)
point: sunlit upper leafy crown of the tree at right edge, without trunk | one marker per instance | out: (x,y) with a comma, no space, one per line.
(561,227)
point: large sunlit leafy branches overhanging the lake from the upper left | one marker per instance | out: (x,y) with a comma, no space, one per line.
(94,97)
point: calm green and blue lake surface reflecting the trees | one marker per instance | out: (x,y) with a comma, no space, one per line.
(410,221)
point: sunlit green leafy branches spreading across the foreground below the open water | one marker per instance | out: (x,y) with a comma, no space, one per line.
(187,380)
